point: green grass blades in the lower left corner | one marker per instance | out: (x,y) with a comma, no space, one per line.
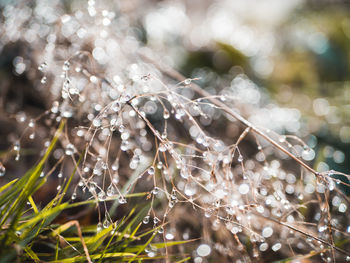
(32,234)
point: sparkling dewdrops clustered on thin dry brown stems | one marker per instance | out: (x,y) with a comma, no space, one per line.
(127,135)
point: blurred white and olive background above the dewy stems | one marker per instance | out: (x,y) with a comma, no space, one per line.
(296,52)
